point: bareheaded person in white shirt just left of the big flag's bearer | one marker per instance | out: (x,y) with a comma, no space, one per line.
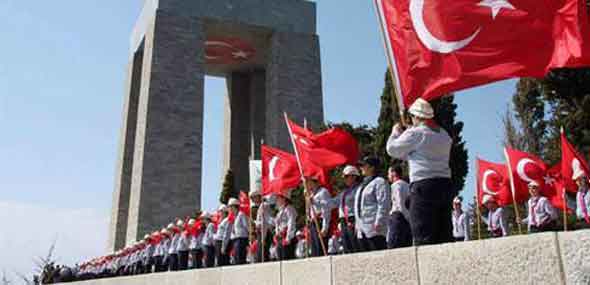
(399,232)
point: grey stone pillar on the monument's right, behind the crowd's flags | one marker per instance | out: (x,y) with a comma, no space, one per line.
(294,85)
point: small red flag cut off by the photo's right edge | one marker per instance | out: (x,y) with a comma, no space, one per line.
(571,160)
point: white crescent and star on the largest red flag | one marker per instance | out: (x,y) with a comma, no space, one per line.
(435,44)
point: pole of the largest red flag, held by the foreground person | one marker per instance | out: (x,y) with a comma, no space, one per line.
(396,97)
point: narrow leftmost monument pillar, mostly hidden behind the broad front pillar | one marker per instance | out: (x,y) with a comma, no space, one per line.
(120,207)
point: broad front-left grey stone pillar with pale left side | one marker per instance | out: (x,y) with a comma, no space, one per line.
(167,160)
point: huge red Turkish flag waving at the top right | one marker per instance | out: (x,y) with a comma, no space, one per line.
(441,46)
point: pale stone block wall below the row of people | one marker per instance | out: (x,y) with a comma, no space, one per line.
(547,258)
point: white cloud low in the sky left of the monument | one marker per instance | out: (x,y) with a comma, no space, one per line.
(27,231)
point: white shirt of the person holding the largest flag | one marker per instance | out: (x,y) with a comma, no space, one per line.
(426,150)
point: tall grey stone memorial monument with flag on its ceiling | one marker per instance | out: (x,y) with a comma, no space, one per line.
(269,53)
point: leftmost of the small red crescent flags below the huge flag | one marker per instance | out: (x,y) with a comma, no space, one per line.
(493,180)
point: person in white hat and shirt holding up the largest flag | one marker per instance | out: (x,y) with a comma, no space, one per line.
(427,148)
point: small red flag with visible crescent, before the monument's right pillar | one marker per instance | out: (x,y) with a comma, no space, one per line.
(280,171)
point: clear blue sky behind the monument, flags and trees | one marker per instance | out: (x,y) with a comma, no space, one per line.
(62,70)
